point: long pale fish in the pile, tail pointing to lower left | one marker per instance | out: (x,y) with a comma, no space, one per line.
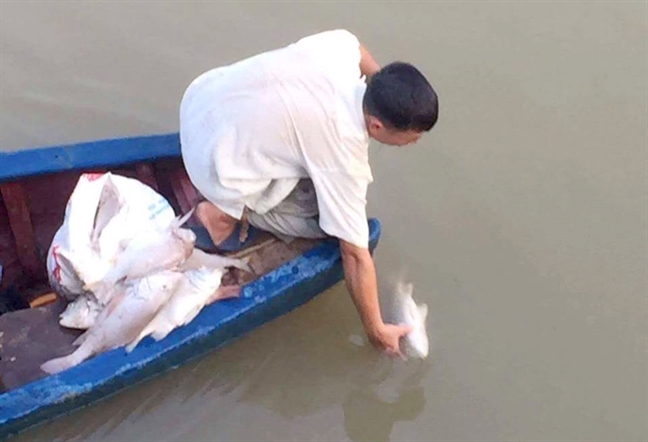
(122,320)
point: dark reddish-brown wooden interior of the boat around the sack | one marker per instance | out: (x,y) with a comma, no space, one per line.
(31,211)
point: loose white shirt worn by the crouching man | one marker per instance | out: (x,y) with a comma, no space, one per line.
(287,114)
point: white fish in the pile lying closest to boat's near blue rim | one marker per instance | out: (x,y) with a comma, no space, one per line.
(198,288)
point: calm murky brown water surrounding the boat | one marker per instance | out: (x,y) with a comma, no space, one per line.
(521,219)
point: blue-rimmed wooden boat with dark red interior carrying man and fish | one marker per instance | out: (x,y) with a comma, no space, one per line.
(35,186)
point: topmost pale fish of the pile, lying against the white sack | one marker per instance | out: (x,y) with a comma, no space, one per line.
(147,253)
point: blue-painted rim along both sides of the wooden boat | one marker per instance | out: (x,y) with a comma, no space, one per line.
(266,298)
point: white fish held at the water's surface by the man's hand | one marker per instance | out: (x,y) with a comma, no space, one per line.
(415,344)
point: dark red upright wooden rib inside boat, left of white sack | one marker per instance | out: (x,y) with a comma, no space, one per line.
(22,229)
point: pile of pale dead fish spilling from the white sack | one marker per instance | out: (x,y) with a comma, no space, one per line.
(157,281)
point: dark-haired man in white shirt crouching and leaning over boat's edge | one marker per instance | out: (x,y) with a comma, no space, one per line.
(280,141)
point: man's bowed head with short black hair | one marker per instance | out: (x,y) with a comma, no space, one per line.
(399,105)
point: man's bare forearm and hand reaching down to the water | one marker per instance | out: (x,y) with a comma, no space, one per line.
(360,277)
